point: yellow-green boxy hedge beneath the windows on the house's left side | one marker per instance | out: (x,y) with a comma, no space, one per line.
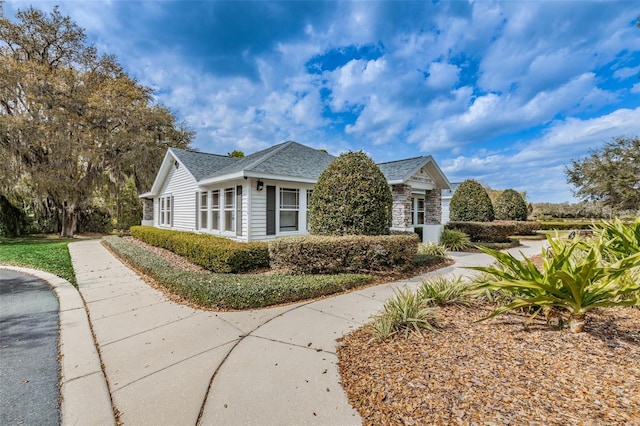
(216,254)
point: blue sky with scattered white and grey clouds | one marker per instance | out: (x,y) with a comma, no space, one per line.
(507,93)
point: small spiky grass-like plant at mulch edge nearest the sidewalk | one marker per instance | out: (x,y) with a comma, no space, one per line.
(406,311)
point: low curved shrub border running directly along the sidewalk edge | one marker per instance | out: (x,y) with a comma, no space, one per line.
(227,291)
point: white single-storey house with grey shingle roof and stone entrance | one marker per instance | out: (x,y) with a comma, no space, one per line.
(265,195)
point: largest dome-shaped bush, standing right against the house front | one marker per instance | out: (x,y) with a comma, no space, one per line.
(351,197)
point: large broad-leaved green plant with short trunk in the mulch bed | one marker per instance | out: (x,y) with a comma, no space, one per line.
(574,284)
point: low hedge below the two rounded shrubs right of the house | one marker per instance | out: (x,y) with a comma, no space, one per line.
(497,232)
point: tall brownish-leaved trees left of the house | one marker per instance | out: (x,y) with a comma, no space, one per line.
(79,138)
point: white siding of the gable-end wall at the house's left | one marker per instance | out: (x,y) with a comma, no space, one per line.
(182,186)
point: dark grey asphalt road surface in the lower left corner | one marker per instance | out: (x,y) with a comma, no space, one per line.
(29,368)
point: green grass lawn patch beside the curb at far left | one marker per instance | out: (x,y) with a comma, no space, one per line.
(38,252)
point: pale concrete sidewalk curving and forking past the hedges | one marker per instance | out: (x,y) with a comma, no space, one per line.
(169,364)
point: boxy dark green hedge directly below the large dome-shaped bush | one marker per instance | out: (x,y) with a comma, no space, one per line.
(352,253)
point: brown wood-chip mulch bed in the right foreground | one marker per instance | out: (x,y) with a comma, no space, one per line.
(498,372)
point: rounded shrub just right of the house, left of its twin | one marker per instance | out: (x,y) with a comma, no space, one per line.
(471,203)
